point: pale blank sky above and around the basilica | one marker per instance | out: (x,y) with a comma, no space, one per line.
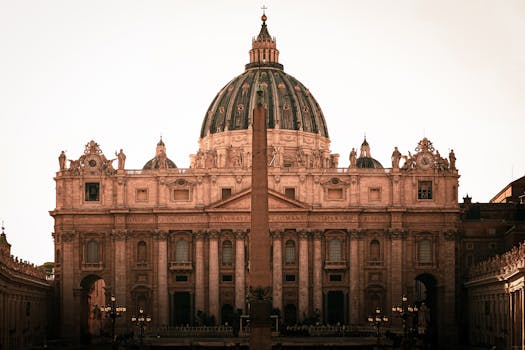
(124,72)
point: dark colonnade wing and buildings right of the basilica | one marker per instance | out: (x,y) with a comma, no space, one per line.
(491,262)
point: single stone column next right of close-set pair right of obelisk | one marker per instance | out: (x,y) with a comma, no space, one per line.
(355,282)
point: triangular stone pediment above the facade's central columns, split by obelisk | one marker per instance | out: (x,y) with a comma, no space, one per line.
(242,200)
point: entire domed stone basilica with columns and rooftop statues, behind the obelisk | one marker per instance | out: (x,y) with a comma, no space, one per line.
(175,242)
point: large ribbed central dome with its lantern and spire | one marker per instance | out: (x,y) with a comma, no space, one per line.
(290,104)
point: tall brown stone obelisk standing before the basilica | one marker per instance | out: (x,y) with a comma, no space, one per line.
(259,250)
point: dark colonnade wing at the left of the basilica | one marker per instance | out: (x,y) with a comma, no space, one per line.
(26,300)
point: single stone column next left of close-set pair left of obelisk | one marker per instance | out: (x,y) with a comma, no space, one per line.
(162,278)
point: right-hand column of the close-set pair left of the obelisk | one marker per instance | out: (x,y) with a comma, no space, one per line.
(213,274)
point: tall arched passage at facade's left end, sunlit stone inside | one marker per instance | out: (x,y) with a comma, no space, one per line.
(93,299)
